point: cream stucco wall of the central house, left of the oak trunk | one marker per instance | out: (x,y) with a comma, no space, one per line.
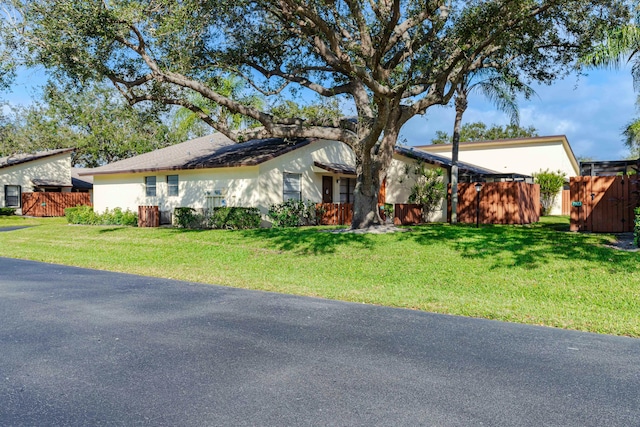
(254,186)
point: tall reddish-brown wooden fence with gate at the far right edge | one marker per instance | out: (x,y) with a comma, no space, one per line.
(603,204)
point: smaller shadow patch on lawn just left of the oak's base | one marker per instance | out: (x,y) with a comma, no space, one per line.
(309,240)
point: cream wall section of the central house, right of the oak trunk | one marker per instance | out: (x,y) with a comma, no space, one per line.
(399,184)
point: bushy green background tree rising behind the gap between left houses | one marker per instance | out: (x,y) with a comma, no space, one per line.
(94,120)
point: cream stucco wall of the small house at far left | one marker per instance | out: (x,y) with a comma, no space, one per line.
(54,168)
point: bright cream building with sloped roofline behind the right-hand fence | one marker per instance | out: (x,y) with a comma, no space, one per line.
(524,156)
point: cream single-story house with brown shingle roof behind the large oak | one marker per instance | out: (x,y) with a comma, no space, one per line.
(213,171)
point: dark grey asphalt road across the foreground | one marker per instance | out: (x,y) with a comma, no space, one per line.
(89,348)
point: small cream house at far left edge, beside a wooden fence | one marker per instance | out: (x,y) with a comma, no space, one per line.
(48,171)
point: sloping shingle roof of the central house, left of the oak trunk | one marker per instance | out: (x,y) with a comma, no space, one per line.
(213,151)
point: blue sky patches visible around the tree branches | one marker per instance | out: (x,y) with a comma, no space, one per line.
(590,110)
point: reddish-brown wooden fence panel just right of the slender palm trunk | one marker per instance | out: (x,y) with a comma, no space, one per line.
(499,203)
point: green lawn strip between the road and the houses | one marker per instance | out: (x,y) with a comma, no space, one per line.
(539,274)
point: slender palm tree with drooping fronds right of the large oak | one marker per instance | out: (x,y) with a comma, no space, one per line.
(500,88)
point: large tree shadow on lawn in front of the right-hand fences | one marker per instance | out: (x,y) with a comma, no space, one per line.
(527,246)
